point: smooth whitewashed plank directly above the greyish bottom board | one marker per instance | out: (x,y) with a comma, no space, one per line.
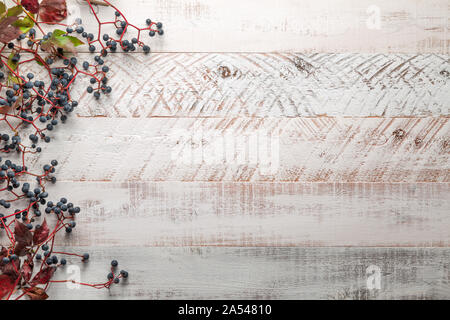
(257,214)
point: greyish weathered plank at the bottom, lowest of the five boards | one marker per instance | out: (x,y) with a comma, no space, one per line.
(263,273)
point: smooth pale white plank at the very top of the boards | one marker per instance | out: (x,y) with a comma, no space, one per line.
(412,26)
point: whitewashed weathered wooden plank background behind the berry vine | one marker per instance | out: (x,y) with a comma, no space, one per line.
(361,115)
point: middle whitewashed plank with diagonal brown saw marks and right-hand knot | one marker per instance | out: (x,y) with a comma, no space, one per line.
(321,149)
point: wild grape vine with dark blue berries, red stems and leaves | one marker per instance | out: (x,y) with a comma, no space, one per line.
(32,106)
